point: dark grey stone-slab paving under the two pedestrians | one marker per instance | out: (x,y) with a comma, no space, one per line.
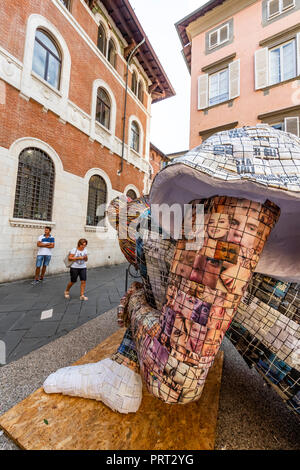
(32,316)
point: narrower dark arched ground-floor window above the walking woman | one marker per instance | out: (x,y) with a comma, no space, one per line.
(96,201)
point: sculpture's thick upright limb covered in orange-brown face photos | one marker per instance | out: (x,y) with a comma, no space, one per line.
(204,289)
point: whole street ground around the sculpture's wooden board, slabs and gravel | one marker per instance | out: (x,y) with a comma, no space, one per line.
(43,332)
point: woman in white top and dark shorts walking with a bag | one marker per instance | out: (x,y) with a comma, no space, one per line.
(78,257)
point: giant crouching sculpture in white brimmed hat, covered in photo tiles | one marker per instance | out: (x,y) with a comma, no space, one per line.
(191,284)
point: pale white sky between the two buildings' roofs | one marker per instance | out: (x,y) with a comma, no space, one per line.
(170,117)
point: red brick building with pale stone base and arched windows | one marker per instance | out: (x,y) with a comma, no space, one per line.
(62,93)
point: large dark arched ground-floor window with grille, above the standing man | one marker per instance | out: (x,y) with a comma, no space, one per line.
(35,185)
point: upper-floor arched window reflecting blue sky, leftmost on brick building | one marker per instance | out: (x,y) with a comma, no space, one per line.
(46,58)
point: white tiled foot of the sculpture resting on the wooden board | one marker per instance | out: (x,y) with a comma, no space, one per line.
(114,384)
